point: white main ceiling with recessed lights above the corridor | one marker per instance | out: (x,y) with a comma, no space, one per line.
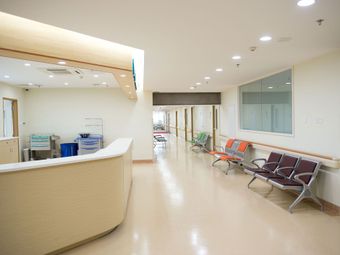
(187,40)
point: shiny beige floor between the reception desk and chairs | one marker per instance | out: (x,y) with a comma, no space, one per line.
(182,205)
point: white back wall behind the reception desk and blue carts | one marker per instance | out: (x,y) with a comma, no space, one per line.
(62,112)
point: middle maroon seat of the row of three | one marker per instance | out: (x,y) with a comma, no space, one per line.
(285,168)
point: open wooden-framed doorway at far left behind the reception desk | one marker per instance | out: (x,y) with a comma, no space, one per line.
(10,117)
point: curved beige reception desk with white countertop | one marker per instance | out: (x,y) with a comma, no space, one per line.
(51,205)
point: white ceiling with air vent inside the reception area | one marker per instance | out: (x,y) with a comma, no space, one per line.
(15,72)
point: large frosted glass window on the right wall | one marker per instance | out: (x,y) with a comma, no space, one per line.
(266,104)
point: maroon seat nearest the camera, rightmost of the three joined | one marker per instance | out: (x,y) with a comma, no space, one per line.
(301,181)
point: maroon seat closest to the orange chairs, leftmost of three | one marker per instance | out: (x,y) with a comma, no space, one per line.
(269,165)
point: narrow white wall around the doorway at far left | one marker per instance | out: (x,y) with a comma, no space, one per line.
(9,91)
